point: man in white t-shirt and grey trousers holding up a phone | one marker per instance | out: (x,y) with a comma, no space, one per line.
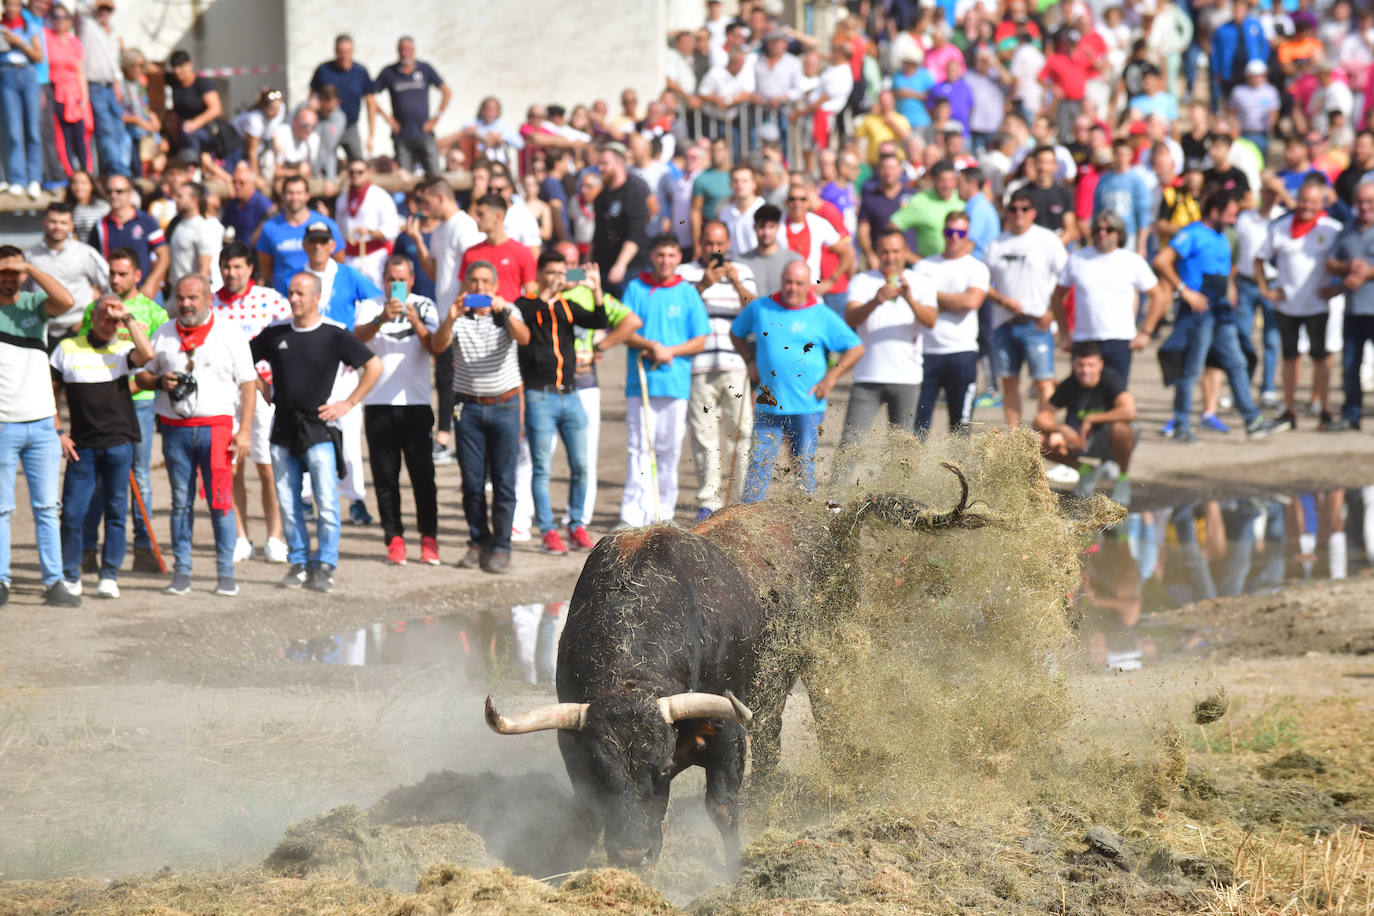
(888,308)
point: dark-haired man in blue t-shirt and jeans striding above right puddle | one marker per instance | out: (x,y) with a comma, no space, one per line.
(1197,263)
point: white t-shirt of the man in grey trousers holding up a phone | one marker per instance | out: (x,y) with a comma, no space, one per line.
(891,334)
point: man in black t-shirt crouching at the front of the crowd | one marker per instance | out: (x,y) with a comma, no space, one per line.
(1100,422)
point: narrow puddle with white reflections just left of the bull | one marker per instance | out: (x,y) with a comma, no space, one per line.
(526,635)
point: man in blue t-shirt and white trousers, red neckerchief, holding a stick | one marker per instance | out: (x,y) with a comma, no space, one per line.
(675,328)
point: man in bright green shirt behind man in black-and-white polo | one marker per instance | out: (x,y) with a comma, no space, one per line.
(126,278)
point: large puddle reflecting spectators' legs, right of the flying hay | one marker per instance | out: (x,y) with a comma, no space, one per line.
(1211,549)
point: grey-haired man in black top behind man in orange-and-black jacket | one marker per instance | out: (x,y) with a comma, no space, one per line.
(620,244)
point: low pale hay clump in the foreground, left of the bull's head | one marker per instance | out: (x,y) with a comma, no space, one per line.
(346,843)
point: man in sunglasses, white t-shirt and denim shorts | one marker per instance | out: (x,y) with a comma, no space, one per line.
(1026,263)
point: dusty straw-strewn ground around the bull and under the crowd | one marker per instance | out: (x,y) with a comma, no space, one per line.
(156,753)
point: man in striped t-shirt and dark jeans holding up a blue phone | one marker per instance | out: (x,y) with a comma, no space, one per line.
(487,406)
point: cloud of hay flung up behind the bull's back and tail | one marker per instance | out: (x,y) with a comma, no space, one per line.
(932,654)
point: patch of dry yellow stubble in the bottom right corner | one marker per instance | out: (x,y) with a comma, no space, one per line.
(1332,874)
